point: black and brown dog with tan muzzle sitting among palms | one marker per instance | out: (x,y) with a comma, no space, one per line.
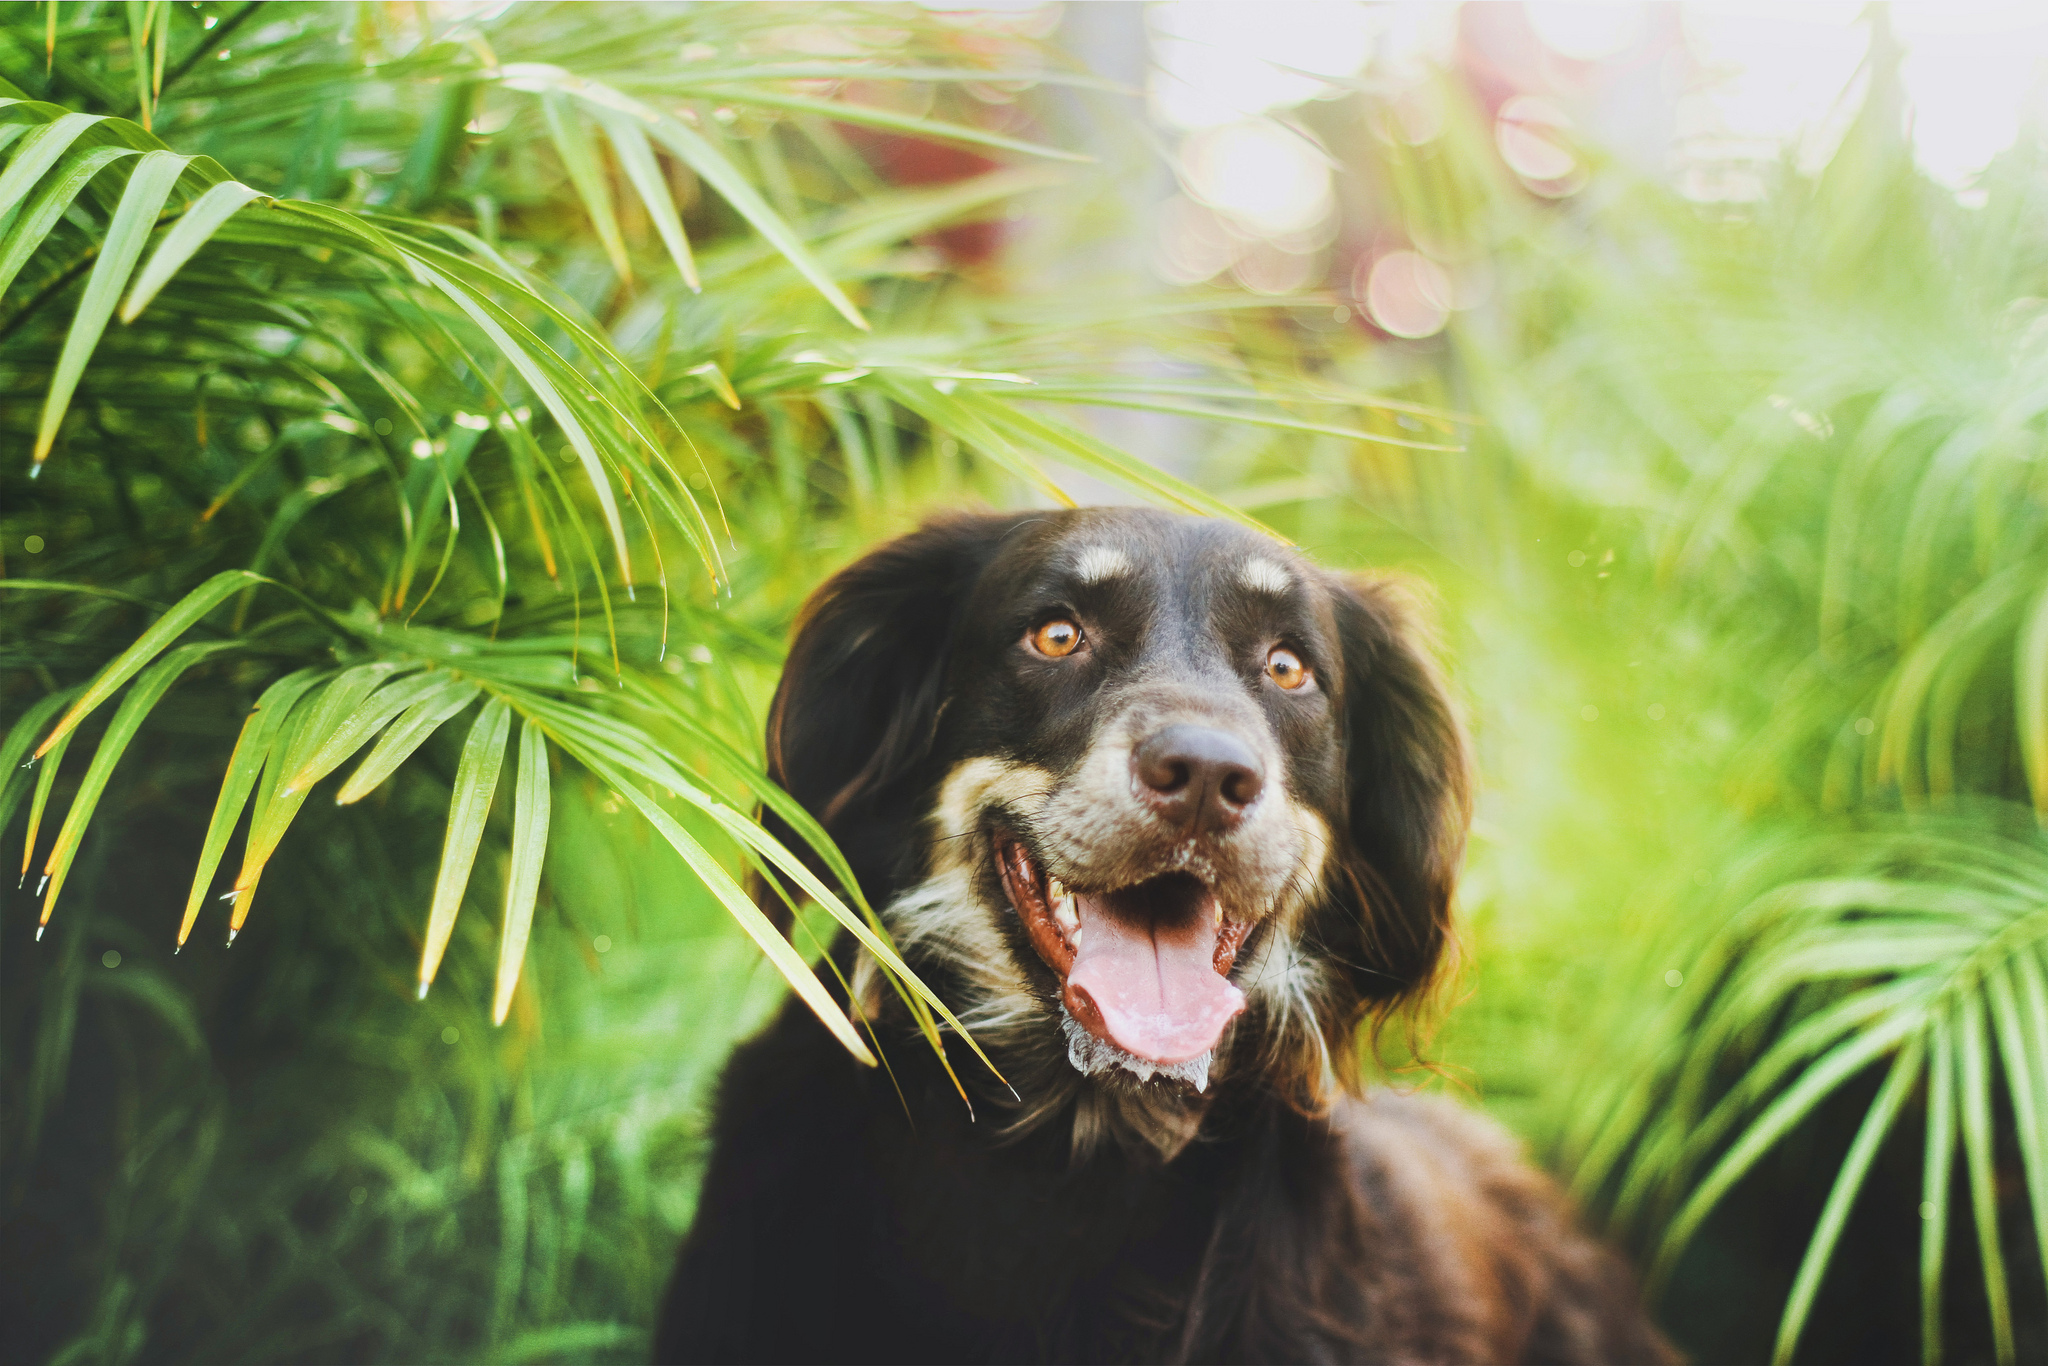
(1166,814)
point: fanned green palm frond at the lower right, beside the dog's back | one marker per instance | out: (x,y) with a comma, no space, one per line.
(1816,984)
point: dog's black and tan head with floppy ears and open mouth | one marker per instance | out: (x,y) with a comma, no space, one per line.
(1150,794)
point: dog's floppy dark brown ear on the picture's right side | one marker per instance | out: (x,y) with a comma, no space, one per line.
(1408,775)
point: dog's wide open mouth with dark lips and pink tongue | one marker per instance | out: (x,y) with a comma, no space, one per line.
(1144,968)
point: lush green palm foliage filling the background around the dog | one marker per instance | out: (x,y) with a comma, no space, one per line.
(1740,564)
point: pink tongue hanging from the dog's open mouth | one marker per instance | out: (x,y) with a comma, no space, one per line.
(1154,984)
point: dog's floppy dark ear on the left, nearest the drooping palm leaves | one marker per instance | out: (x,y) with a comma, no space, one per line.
(857,710)
